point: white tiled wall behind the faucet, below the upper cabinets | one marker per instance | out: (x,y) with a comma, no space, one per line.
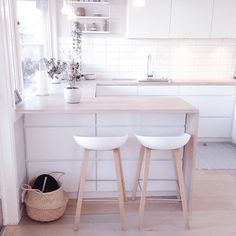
(114,56)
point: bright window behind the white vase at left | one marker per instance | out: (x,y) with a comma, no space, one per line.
(33,32)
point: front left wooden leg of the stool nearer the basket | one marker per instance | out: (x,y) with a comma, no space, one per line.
(81,189)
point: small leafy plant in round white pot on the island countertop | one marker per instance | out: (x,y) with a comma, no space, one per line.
(72,94)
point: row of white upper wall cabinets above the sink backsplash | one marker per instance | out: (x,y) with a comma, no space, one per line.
(182,19)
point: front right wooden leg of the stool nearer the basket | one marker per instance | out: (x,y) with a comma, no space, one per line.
(120,188)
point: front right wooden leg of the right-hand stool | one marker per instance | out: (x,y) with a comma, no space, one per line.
(178,162)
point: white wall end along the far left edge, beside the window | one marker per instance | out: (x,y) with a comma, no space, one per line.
(10,188)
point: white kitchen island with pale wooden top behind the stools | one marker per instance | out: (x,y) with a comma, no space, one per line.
(50,125)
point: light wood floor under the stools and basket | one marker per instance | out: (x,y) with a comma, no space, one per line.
(214,214)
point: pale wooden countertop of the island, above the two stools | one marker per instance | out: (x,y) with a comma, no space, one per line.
(55,104)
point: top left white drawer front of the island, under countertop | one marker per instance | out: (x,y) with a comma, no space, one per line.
(60,120)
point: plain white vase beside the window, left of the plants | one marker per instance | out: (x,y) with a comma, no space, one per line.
(42,83)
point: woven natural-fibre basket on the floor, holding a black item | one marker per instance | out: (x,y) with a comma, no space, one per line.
(44,207)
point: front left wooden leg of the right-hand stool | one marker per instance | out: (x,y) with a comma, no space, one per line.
(144,188)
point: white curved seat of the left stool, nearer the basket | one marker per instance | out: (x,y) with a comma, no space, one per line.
(101,143)
